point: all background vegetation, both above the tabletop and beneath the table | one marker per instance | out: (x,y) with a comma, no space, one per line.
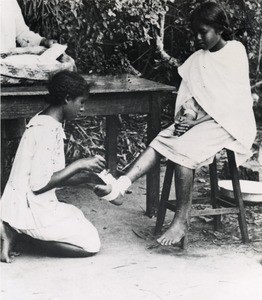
(118,36)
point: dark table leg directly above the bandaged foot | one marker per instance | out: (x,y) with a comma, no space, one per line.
(111,143)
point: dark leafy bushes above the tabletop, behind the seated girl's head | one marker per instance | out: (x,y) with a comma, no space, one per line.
(105,36)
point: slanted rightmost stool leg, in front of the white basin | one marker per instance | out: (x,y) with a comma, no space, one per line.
(238,195)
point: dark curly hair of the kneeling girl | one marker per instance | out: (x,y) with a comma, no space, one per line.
(66,83)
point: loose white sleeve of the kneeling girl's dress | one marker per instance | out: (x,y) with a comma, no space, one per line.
(43,163)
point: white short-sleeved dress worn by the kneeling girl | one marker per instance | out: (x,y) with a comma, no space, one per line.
(39,155)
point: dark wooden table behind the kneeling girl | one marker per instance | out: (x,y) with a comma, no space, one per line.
(109,96)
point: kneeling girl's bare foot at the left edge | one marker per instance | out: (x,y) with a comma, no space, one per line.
(8,235)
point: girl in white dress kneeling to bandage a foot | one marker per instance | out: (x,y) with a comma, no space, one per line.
(29,204)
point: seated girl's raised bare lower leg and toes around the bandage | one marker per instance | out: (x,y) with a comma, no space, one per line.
(141,166)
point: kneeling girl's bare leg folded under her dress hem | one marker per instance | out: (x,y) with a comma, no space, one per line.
(63,249)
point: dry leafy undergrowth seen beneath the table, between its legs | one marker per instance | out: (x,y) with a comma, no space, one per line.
(85,137)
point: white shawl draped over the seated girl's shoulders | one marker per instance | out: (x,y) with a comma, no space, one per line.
(219,81)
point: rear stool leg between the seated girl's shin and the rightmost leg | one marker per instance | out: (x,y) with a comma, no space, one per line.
(214,192)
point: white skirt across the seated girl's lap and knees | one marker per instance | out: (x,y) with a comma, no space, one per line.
(198,146)
